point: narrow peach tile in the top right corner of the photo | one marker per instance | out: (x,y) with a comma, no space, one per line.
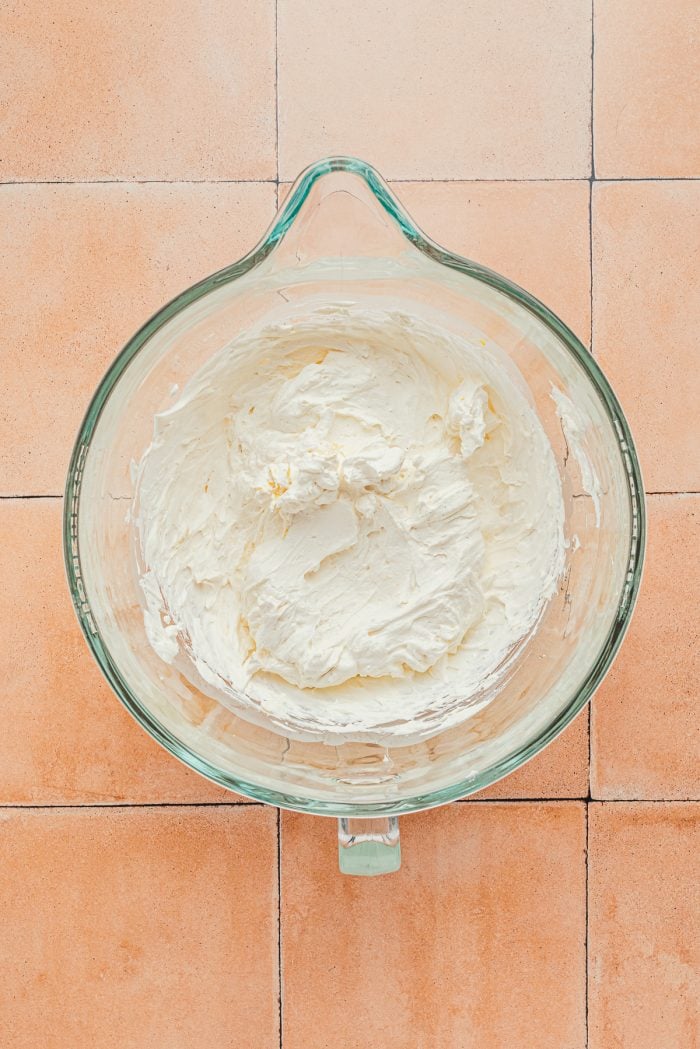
(647,82)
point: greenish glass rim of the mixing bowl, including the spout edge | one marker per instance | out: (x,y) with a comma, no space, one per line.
(274,236)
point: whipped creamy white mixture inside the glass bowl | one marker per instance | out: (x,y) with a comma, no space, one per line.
(347,525)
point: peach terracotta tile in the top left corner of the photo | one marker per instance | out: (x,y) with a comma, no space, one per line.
(132,91)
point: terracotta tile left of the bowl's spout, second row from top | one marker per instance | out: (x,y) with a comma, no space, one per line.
(82,268)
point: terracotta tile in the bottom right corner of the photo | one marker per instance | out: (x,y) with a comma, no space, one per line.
(645,927)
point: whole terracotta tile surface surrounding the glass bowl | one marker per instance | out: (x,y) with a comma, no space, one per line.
(141,907)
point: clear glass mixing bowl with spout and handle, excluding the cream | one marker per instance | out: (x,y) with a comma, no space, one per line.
(342,237)
